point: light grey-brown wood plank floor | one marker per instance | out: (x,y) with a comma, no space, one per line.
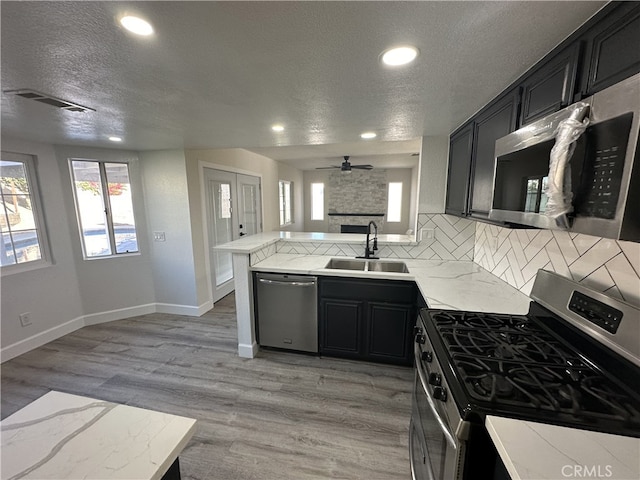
(278,416)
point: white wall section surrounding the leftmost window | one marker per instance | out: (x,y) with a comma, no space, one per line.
(52,293)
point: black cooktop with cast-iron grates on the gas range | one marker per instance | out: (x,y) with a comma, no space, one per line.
(515,365)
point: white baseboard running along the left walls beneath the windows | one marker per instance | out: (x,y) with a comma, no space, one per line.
(42,338)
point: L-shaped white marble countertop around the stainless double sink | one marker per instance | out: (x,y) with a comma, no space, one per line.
(447,284)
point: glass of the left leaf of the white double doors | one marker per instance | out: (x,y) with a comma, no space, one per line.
(222,229)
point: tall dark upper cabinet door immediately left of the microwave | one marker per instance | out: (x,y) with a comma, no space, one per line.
(495,121)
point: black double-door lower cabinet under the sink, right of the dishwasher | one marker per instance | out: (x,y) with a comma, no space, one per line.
(367,319)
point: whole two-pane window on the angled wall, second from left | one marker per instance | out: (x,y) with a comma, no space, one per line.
(104,205)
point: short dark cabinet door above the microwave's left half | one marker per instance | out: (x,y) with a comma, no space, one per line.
(551,86)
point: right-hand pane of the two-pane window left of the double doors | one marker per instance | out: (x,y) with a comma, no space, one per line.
(119,189)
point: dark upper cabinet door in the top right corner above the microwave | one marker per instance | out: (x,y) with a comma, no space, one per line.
(612,49)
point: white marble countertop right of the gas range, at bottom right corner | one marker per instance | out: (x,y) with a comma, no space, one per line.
(537,451)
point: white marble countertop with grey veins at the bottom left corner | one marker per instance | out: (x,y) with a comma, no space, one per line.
(63,436)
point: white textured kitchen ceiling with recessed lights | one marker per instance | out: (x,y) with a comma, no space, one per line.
(218,74)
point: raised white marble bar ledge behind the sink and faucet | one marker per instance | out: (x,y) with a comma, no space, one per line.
(251,243)
